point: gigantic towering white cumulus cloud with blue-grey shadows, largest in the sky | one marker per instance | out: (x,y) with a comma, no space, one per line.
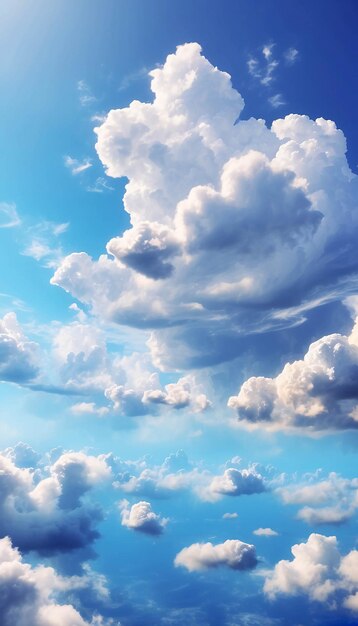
(218,206)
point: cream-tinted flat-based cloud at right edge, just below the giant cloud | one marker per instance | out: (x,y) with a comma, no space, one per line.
(320,392)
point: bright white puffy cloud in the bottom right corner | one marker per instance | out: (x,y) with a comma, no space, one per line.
(317,570)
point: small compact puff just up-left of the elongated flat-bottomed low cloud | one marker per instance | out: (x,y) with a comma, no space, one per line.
(141,517)
